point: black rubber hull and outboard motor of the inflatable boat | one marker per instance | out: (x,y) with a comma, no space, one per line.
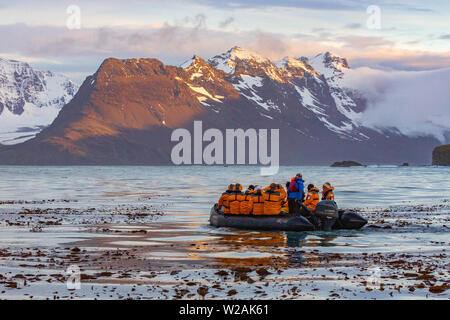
(331,218)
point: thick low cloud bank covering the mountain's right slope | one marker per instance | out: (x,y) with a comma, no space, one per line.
(415,103)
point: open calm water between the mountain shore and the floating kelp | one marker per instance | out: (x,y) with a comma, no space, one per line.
(192,190)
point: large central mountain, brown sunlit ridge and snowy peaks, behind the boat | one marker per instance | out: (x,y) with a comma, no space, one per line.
(124,114)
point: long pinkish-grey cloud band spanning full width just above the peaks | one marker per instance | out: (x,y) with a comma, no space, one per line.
(176,42)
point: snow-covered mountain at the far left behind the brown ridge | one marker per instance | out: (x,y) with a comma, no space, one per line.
(29,100)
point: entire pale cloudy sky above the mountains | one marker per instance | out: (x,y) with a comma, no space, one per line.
(388,35)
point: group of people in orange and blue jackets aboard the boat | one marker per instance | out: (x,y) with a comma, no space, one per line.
(274,199)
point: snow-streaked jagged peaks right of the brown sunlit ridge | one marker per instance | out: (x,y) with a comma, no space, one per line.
(313,83)
